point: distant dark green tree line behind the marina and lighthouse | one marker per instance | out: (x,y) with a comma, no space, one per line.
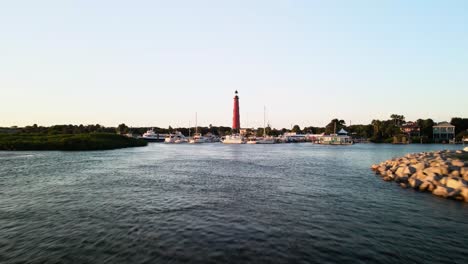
(377,131)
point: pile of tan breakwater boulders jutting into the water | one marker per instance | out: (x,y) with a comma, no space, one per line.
(443,173)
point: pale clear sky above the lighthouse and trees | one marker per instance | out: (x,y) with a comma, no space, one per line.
(157,63)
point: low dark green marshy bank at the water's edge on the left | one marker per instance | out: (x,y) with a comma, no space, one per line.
(91,141)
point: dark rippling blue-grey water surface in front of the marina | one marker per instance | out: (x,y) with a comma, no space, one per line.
(290,203)
